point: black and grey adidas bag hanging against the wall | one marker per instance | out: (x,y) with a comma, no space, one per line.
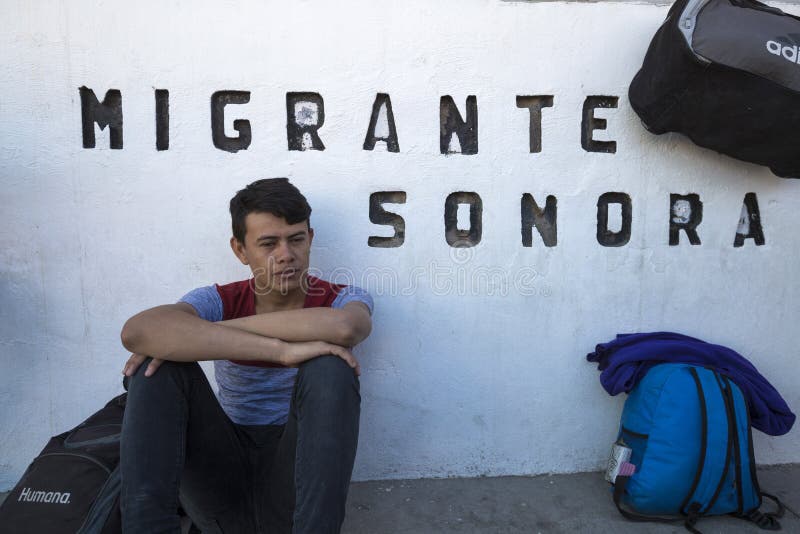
(726,73)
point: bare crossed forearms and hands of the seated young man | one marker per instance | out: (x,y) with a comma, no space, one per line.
(175,332)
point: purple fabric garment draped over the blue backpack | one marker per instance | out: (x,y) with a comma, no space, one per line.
(626,359)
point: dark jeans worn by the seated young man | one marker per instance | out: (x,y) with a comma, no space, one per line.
(178,445)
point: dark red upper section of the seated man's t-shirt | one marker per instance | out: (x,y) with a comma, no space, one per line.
(239,300)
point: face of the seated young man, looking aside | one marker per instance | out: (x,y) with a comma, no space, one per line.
(277,252)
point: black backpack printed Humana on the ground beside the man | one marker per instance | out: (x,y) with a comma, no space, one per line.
(73,485)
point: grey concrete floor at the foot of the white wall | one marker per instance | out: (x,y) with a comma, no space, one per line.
(579,503)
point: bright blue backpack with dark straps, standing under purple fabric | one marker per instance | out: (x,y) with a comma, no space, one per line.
(688,429)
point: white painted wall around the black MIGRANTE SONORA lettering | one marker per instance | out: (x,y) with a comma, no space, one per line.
(456,382)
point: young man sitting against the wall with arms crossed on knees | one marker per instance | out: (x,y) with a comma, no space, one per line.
(274,451)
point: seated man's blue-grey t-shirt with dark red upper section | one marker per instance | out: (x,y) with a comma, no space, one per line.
(259,393)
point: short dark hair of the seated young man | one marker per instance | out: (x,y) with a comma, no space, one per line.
(271,195)
